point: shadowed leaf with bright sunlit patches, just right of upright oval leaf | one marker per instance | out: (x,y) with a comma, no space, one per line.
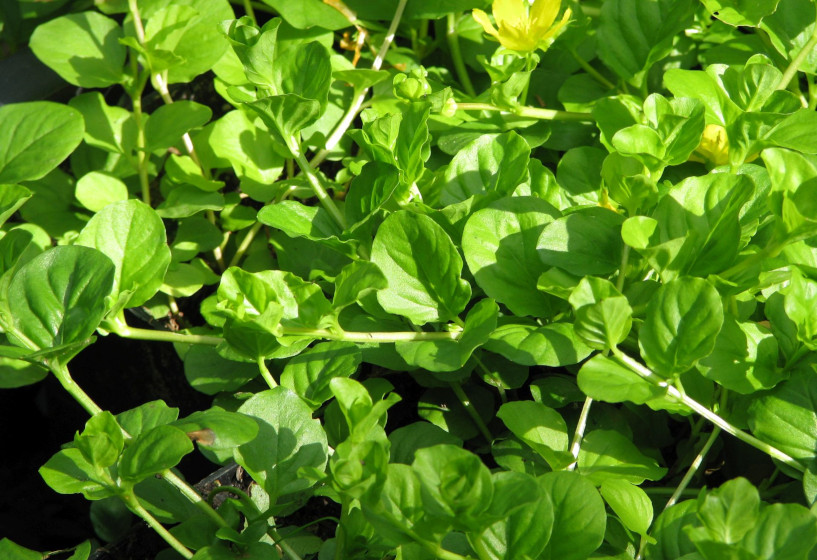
(744,358)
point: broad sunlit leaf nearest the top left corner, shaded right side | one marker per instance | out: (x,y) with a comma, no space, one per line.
(97,58)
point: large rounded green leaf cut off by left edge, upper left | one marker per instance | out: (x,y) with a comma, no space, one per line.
(35,138)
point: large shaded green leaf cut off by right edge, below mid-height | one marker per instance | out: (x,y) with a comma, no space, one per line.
(786,416)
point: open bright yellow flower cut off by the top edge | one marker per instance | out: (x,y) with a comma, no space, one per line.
(524,27)
